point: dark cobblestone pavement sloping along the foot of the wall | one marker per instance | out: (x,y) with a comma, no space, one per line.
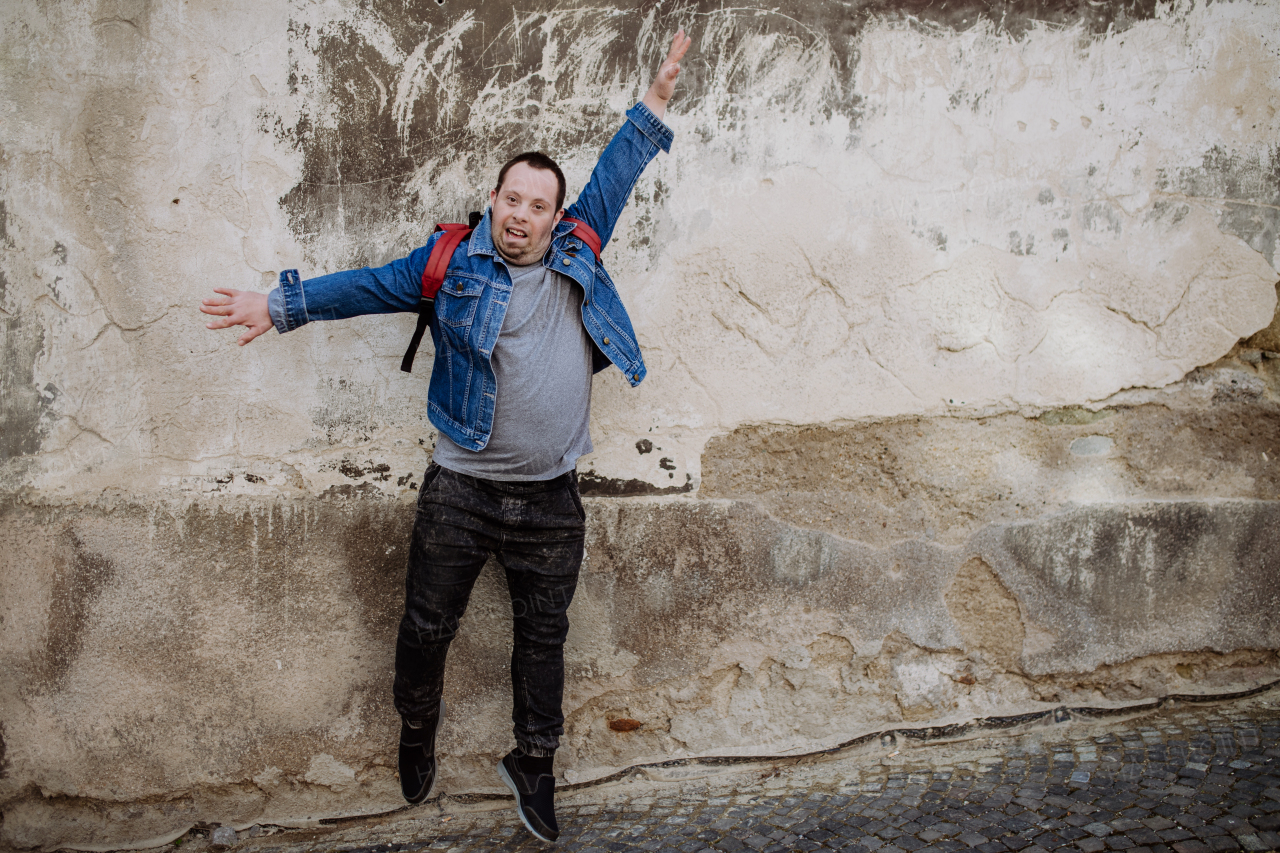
(1191,779)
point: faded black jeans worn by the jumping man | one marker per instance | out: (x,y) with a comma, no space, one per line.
(537,532)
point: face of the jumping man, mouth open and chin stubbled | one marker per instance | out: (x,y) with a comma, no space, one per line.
(524,213)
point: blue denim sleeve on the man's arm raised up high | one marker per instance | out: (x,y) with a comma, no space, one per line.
(618,171)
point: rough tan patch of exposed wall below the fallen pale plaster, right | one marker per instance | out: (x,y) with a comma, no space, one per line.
(1214,437)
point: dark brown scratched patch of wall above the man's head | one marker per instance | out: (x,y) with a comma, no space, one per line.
(413,122)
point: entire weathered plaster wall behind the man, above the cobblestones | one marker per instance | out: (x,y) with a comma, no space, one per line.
(949,412)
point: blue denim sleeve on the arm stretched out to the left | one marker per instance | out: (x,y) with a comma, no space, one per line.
(386,290)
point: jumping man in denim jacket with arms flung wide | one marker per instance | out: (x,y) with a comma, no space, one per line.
(524,318)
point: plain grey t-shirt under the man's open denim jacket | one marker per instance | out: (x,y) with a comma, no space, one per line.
(543,368)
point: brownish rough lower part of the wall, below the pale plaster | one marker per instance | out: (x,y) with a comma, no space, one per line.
(230,659)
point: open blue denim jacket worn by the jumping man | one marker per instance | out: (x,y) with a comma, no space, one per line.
(473,302)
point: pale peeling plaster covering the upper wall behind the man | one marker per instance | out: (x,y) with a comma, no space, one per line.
(852,223)
